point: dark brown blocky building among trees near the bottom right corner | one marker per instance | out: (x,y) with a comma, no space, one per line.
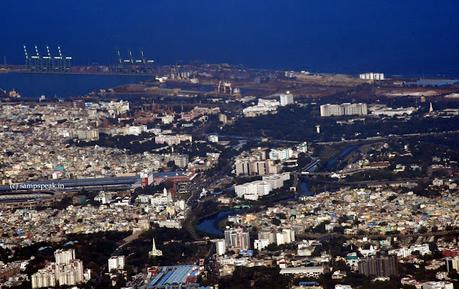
(379,266)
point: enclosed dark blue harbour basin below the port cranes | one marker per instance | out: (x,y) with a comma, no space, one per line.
(62,85)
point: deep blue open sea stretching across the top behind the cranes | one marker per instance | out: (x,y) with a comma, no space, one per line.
(397,37)
